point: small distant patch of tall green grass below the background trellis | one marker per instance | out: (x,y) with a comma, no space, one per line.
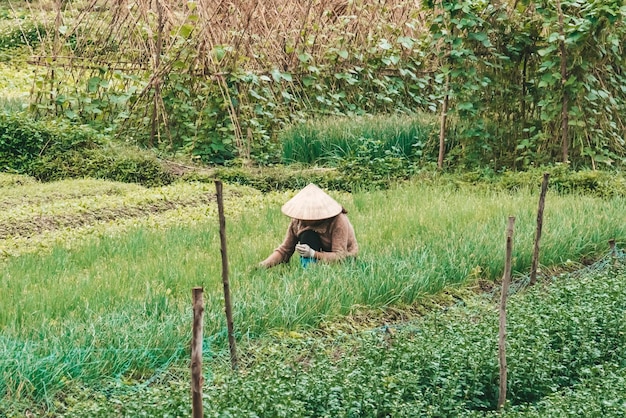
(326,140)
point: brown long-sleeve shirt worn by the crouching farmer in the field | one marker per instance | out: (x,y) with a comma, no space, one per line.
(337,236)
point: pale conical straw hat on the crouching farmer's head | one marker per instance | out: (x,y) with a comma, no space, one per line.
(311,204)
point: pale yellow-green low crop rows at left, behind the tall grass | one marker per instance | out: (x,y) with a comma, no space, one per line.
(35,216)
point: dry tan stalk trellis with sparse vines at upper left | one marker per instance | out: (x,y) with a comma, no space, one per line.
(109,59)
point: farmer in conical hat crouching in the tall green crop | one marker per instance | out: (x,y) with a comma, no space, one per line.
(319,230)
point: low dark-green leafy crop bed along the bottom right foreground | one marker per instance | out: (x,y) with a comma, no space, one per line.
(565,359)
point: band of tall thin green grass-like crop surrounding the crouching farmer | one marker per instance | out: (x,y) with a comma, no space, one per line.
(119,307)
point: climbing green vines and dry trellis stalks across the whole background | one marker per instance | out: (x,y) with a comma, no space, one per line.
(535,84)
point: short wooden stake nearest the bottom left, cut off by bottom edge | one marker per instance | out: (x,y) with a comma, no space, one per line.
(196,353)
